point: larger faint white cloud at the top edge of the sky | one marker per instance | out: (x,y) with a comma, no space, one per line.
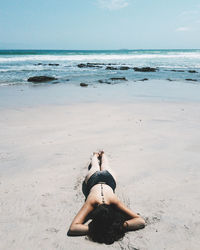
(113,4)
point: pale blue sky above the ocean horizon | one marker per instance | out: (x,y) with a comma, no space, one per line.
(99,24)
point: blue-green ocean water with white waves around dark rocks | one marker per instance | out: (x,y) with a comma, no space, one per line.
(16,66)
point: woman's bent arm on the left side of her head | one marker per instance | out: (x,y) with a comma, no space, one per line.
(77,228)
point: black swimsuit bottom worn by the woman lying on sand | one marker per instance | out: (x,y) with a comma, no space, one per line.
(99,177)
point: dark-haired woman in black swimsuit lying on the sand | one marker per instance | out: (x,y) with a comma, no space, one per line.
(110,218)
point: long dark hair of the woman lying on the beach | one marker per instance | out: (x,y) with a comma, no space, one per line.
(107,224)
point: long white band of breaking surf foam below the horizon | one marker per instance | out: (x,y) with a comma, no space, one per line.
(98,57)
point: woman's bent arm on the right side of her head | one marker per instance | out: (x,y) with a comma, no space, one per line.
(135,222)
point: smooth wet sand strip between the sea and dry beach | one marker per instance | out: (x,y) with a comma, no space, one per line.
(34,95)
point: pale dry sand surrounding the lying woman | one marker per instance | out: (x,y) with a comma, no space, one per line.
(153,147)
